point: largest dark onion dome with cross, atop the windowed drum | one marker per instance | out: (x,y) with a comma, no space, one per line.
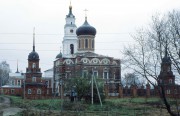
(86,29)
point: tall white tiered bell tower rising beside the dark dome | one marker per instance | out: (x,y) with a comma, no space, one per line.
(70,38)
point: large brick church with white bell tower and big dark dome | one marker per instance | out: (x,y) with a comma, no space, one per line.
(80,60)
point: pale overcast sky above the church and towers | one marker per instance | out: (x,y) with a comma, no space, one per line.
(114,20)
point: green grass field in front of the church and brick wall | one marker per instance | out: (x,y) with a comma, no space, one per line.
(111,107)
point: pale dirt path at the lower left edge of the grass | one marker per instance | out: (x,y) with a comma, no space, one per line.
(7,109)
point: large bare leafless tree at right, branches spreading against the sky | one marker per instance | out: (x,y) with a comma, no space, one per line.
(145,56)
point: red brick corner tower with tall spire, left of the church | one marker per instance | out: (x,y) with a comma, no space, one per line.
(34,86)
